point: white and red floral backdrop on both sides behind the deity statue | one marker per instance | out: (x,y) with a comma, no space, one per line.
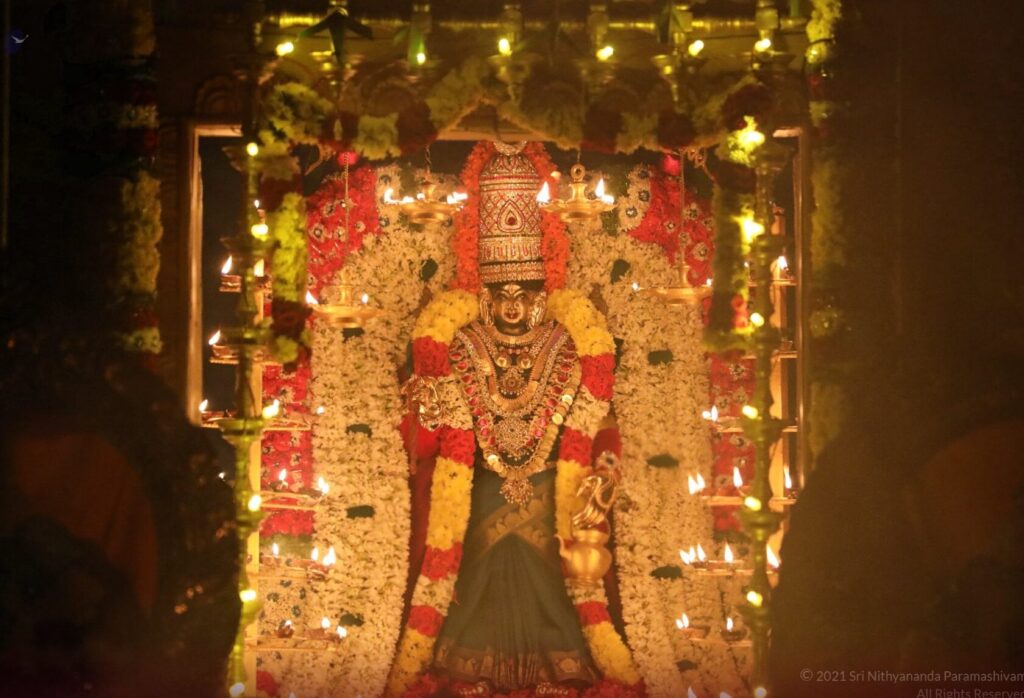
(351,391)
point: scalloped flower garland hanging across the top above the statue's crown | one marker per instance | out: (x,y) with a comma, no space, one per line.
(297,114)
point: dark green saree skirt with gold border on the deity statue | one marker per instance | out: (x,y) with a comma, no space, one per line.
(511,623)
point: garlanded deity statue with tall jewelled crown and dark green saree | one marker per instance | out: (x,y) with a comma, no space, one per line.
(516,602)
